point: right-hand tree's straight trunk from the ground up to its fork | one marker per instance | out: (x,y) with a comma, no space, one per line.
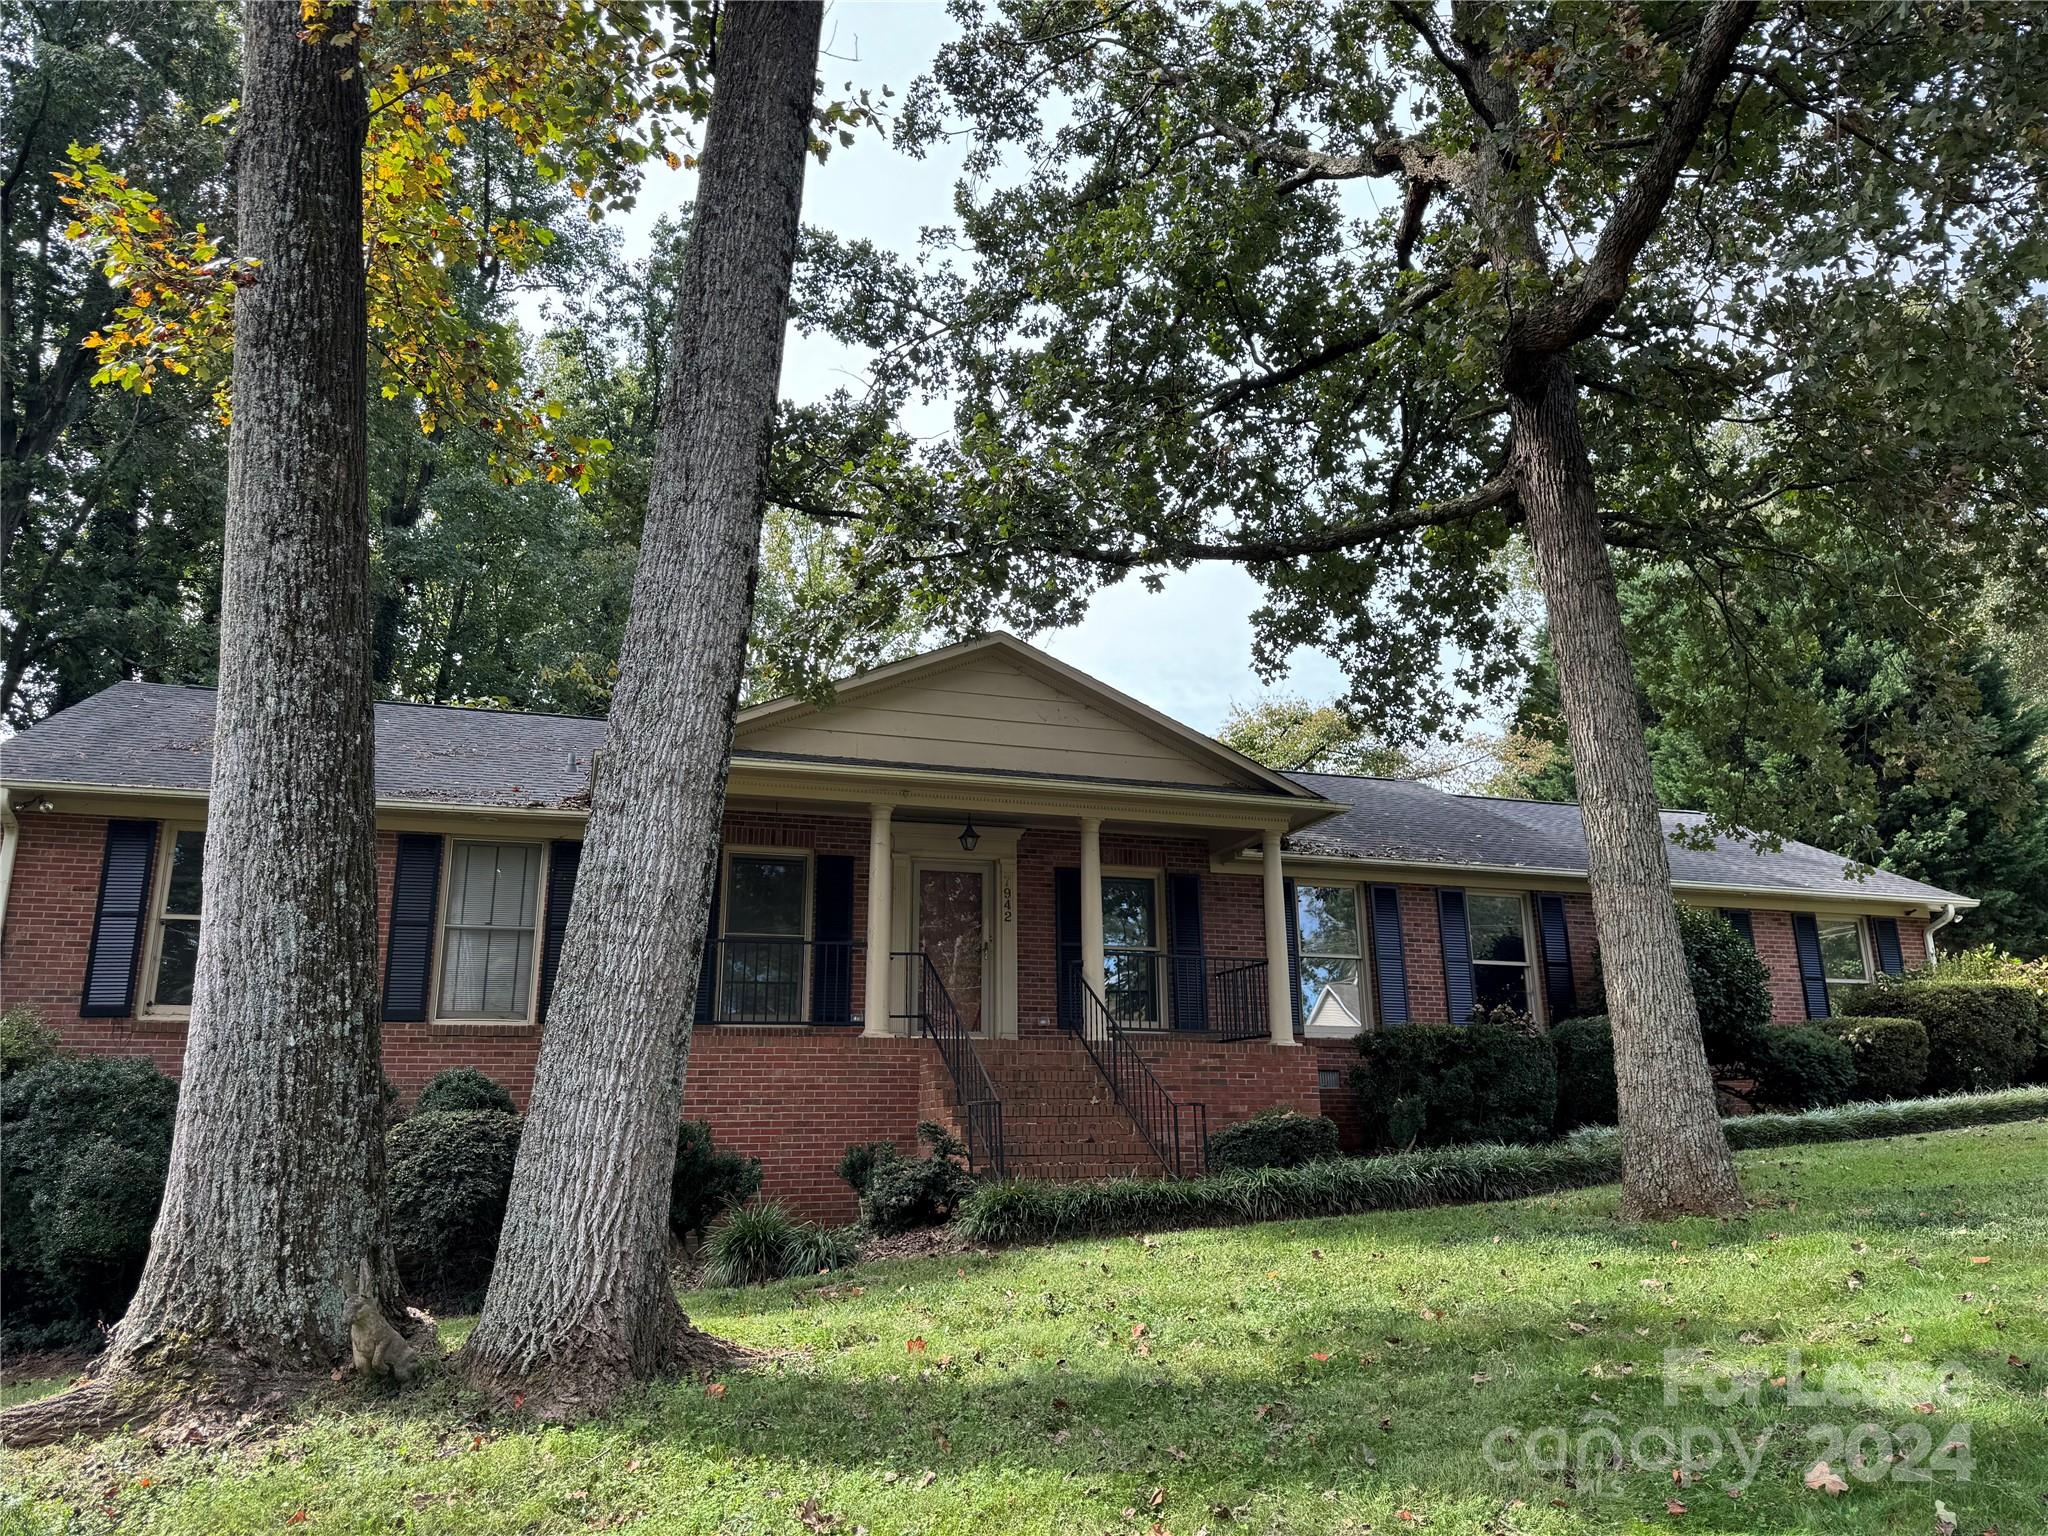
(1674,1154)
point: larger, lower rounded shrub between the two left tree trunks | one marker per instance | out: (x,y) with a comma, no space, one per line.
(450,1179)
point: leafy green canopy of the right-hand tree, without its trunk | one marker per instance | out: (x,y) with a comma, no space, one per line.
(1220,292)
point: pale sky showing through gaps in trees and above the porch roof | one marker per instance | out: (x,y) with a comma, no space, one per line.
(1185,650)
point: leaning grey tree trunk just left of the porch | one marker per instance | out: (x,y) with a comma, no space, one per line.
(581,1299)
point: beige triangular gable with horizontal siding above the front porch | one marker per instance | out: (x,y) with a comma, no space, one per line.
(998,706)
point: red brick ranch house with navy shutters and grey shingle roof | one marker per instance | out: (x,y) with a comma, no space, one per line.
(1097,933)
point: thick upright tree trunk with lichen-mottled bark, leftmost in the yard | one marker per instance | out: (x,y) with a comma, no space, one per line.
(275,1187)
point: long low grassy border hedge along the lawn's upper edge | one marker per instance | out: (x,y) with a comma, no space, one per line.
(1015,1211)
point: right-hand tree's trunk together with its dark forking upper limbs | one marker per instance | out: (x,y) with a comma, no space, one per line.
(1674,1154)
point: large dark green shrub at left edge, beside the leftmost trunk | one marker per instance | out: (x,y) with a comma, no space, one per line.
(85,1148)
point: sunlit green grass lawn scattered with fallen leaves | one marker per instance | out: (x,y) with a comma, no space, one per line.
(1297,1377)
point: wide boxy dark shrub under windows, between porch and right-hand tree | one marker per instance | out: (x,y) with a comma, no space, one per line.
(1435,1084)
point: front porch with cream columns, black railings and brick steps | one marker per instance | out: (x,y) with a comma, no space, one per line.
(1064,974)
